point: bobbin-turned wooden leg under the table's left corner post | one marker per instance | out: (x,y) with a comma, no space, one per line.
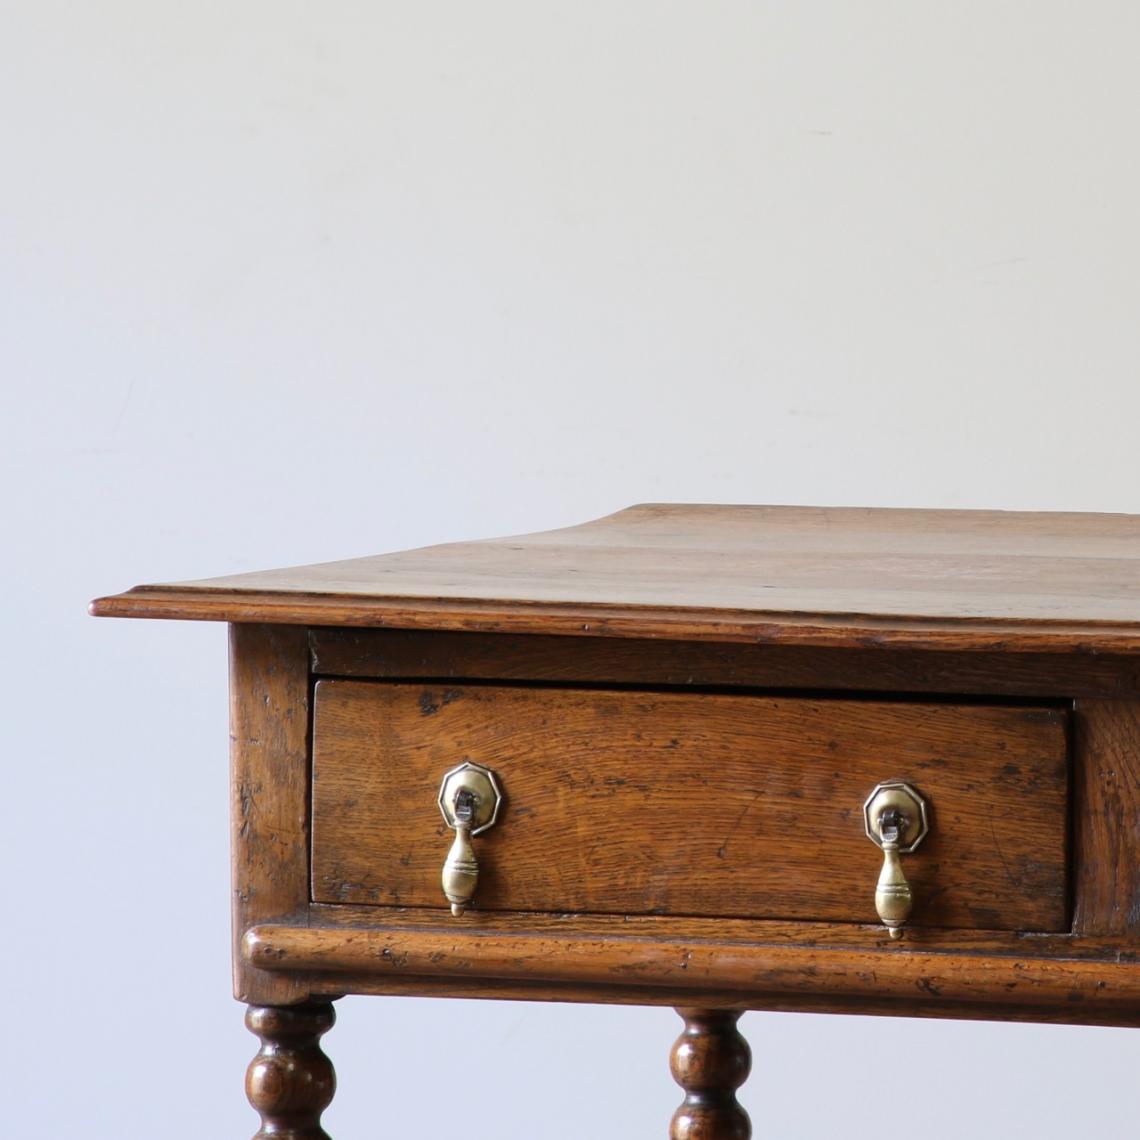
(291,1082)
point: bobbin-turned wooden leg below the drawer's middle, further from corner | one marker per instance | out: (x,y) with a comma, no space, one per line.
(711,1061)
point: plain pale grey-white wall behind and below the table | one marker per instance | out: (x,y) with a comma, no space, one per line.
(291,282)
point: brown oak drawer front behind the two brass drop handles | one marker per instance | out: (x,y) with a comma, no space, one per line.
(690,804)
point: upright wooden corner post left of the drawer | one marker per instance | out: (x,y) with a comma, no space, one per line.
(270,805)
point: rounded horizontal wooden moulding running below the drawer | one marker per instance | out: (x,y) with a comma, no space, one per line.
(579,957)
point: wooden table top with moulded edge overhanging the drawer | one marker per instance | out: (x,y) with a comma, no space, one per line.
(810,576)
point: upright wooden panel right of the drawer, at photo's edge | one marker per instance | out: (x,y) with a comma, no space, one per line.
(1108,818)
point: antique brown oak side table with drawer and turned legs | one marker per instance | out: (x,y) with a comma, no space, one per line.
(715,758)
